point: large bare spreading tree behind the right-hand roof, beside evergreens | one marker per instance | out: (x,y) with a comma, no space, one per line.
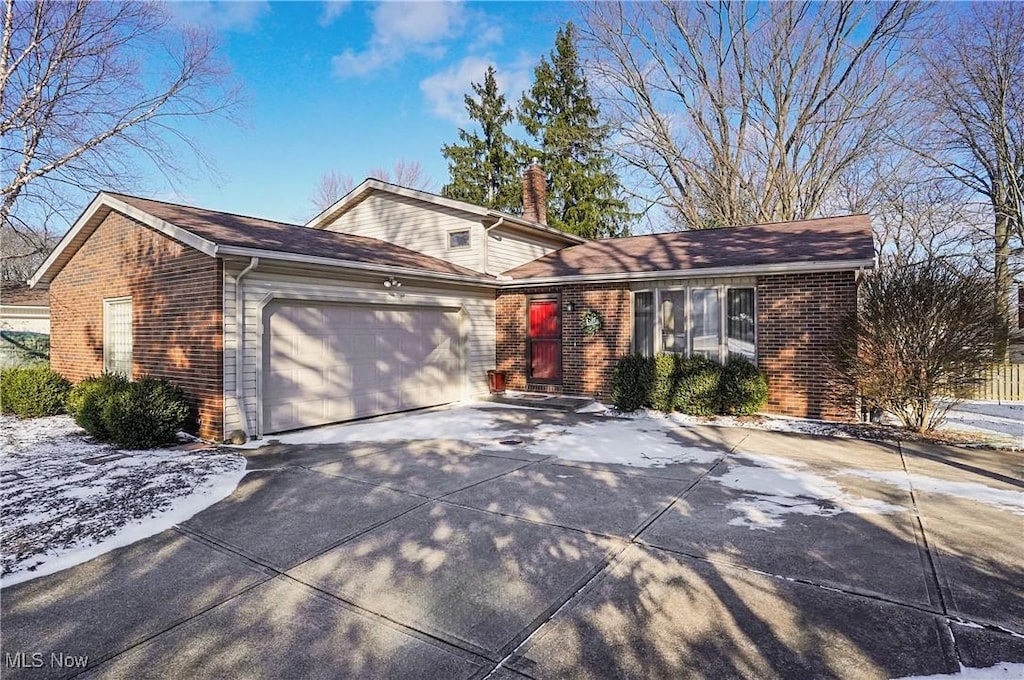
(742,113)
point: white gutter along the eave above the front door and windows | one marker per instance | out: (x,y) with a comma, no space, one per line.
(751,270)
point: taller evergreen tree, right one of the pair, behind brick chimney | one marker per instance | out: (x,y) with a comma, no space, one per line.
(564,120)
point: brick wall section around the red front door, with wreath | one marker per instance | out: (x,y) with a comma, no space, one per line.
(588,362)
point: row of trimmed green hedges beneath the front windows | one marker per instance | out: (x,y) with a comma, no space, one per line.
(693,386)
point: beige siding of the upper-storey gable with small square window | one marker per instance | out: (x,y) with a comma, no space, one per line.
(415,225)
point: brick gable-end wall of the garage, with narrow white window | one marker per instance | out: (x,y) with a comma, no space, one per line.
(177,295)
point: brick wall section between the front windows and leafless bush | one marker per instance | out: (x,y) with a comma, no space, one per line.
(797,315)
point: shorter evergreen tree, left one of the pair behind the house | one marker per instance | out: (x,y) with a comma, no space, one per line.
(484,169)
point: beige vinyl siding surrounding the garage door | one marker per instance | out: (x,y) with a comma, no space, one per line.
(479,323)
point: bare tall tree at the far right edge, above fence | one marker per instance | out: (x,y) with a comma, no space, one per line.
(974,79)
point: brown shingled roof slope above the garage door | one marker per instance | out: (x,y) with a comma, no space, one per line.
(242,232)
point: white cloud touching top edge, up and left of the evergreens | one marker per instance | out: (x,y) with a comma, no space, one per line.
(402,29)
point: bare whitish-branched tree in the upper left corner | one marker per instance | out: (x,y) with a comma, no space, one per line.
(88,92)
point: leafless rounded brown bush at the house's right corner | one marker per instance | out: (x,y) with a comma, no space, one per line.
(918,343)
